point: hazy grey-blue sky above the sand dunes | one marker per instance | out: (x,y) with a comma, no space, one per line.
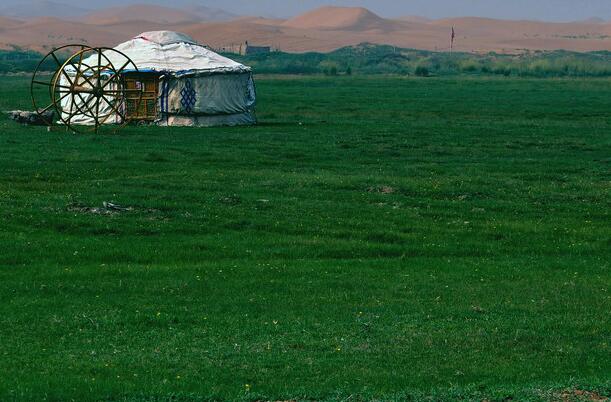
(545,10)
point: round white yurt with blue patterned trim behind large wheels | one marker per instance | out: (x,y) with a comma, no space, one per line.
(182,83)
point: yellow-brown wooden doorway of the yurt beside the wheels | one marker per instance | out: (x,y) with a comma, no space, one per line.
(149,84)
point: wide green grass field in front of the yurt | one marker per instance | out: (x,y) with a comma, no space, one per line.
(372,238)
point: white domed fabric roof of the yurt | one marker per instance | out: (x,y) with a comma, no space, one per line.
(171,52)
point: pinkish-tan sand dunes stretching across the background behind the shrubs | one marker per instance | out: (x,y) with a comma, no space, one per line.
(324,29)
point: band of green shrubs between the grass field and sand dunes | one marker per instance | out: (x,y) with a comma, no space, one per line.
(381,59)
